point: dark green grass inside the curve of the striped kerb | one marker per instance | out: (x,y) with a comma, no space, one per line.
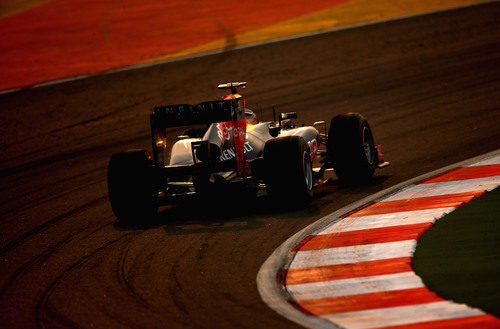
(458,257)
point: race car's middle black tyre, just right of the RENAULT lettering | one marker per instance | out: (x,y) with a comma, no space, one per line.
(288,169)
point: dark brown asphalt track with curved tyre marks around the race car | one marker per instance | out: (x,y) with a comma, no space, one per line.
(429,86)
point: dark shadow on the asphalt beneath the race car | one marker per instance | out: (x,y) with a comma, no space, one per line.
(238,212)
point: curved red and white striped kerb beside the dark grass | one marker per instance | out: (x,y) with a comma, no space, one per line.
(357,272)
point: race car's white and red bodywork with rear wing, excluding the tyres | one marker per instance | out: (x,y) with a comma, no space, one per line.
(230,150)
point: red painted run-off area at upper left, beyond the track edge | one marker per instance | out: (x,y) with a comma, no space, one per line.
(76,37)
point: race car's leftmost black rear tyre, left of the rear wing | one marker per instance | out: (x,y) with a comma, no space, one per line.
(131,186)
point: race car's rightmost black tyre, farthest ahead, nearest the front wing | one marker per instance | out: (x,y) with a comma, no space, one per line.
(351,148)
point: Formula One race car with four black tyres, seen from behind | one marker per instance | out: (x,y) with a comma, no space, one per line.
(234,148)
